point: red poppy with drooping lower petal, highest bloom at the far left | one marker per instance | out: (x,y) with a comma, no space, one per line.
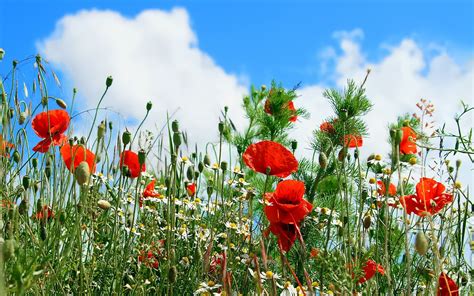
(50,126)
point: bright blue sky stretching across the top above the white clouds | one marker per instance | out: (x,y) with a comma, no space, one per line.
(251,37)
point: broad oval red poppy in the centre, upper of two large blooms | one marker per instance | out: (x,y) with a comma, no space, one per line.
(272,155)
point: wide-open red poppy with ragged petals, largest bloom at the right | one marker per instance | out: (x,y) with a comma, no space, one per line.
(430,198)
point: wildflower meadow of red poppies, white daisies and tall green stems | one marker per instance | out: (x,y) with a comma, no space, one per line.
(140,212)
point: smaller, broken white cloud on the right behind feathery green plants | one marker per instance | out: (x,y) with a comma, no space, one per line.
(396,83)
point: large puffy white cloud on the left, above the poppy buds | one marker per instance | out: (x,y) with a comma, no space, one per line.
(152,56)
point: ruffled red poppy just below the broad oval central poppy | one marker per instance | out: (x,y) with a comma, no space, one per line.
(287,204)
